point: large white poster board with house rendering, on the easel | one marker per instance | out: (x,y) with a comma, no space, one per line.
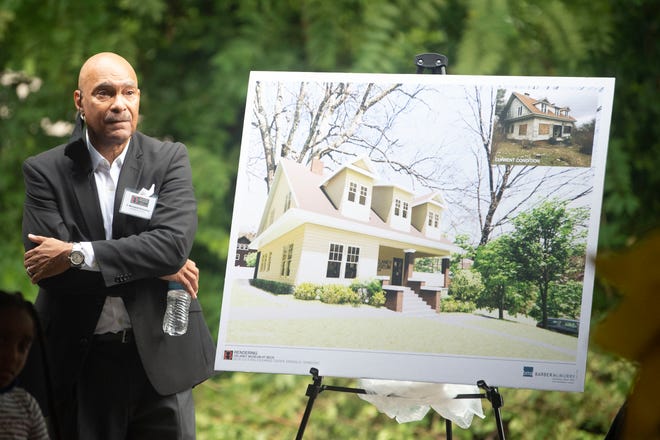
(372,179)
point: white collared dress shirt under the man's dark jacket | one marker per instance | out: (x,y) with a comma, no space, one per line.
(114,316)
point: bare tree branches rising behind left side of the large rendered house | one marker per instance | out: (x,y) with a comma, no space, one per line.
(322,120)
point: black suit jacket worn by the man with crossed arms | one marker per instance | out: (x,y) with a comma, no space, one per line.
(61,201)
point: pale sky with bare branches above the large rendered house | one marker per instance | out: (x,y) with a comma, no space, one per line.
(333,121)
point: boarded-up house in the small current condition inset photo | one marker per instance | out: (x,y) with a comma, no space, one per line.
(528,119)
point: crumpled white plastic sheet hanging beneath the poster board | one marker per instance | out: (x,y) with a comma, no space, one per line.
(410,401)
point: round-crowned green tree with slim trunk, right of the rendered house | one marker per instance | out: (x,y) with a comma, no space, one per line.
(543,243)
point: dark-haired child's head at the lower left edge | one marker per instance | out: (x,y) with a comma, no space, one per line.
(17,331)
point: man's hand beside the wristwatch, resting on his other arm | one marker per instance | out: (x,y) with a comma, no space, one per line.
(49,258)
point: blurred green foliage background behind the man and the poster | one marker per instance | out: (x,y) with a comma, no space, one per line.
(193,58)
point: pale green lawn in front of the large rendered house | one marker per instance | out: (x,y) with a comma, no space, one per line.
(265,319)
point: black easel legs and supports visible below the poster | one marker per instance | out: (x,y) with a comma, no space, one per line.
(316,388)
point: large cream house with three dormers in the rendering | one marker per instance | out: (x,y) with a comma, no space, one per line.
(345,226)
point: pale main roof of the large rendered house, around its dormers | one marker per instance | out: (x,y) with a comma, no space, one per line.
(307,188)
